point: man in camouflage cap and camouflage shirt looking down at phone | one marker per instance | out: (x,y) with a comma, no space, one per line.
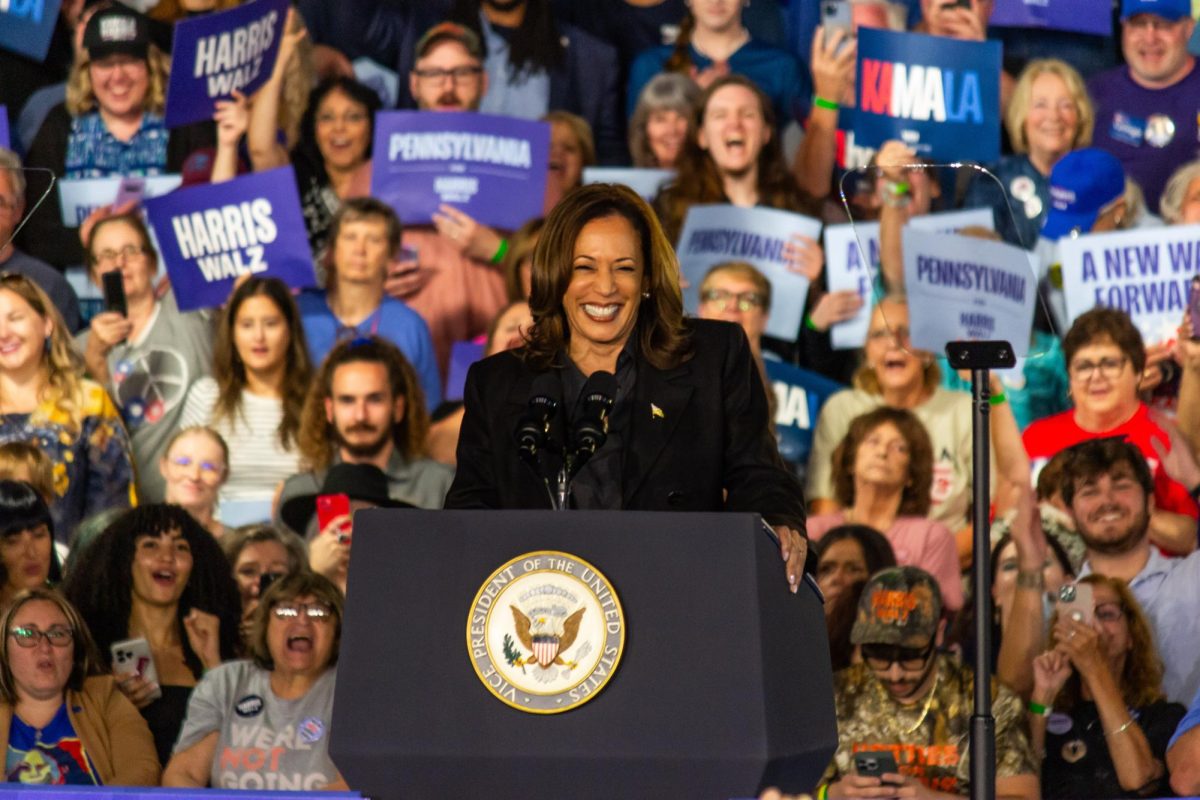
(913,703)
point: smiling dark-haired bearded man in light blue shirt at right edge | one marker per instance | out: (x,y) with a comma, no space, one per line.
(1108,486)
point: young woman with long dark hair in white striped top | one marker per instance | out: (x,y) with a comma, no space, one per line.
(254,401)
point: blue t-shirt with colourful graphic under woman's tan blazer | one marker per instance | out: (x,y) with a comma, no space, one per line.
(53,756)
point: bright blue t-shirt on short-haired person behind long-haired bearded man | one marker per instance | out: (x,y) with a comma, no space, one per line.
(392,321)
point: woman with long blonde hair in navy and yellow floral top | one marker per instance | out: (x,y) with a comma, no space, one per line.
(44,400)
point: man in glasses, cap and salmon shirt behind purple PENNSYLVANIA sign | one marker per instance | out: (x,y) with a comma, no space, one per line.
(455,284)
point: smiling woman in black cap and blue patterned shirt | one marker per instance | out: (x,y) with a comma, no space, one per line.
(111,125)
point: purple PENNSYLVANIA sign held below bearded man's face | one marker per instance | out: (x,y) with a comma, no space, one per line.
(493,169)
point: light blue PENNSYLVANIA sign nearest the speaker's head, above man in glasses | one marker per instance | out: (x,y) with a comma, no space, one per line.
(725,233)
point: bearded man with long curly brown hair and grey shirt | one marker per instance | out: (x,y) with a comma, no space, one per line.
(367,408)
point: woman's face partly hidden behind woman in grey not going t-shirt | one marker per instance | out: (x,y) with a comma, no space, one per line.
(261,556)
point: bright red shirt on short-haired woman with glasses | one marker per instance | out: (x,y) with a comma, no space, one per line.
(1043,440)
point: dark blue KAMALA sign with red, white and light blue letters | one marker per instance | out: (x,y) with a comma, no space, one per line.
(938,95)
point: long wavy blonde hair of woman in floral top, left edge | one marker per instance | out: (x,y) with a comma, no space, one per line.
(62,393)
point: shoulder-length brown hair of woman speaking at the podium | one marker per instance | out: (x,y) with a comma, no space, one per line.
(659,332)
